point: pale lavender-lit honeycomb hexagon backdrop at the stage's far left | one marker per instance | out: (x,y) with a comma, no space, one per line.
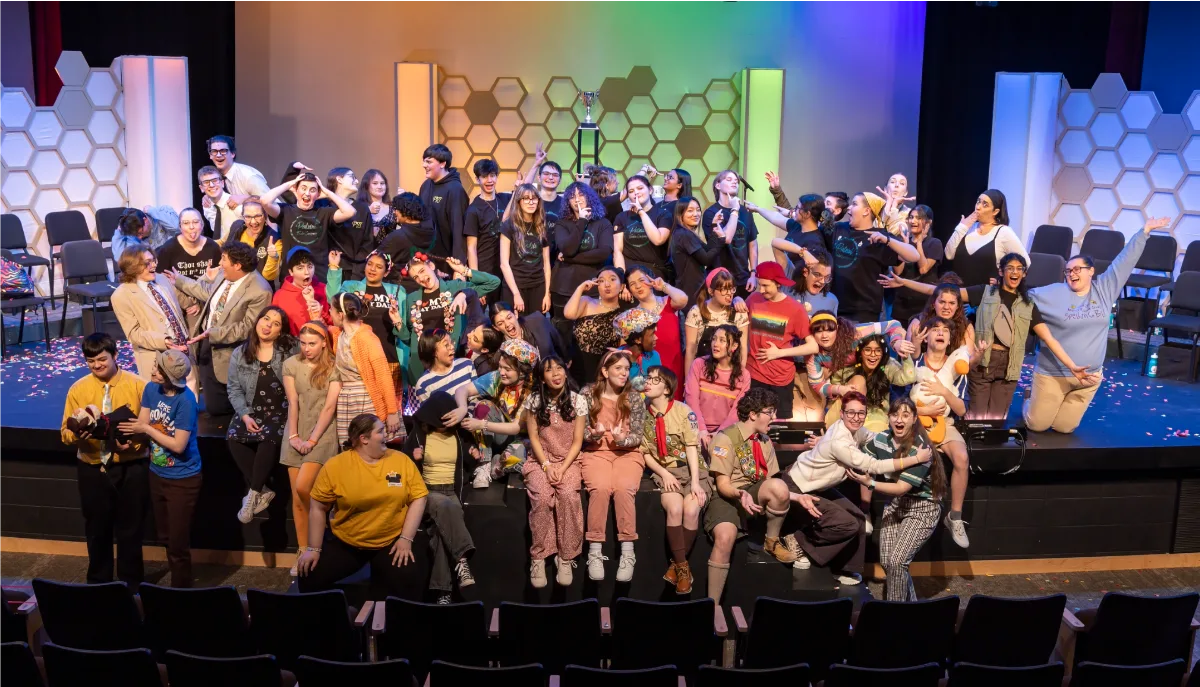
(68,157)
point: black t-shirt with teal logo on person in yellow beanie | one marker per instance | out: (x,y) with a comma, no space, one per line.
(857,266)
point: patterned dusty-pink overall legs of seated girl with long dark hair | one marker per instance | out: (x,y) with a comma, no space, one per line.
(556,516)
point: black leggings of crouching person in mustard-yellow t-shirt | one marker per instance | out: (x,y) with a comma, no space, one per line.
(340,560)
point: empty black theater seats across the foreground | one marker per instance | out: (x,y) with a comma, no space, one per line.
(107,636)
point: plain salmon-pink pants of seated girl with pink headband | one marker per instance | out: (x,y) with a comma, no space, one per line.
(617,477)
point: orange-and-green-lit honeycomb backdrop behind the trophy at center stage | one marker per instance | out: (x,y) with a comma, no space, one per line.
(508,121)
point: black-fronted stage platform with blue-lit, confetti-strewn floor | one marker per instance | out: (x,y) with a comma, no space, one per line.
(1127,482)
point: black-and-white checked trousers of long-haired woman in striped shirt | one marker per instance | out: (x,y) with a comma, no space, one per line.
(908,524)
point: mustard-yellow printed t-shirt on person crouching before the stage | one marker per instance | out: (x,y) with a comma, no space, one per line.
(370,501)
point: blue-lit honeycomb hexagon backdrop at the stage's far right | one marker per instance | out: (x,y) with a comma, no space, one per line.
(1120,159)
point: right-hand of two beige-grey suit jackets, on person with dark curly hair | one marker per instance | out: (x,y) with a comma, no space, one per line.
(232,326)
